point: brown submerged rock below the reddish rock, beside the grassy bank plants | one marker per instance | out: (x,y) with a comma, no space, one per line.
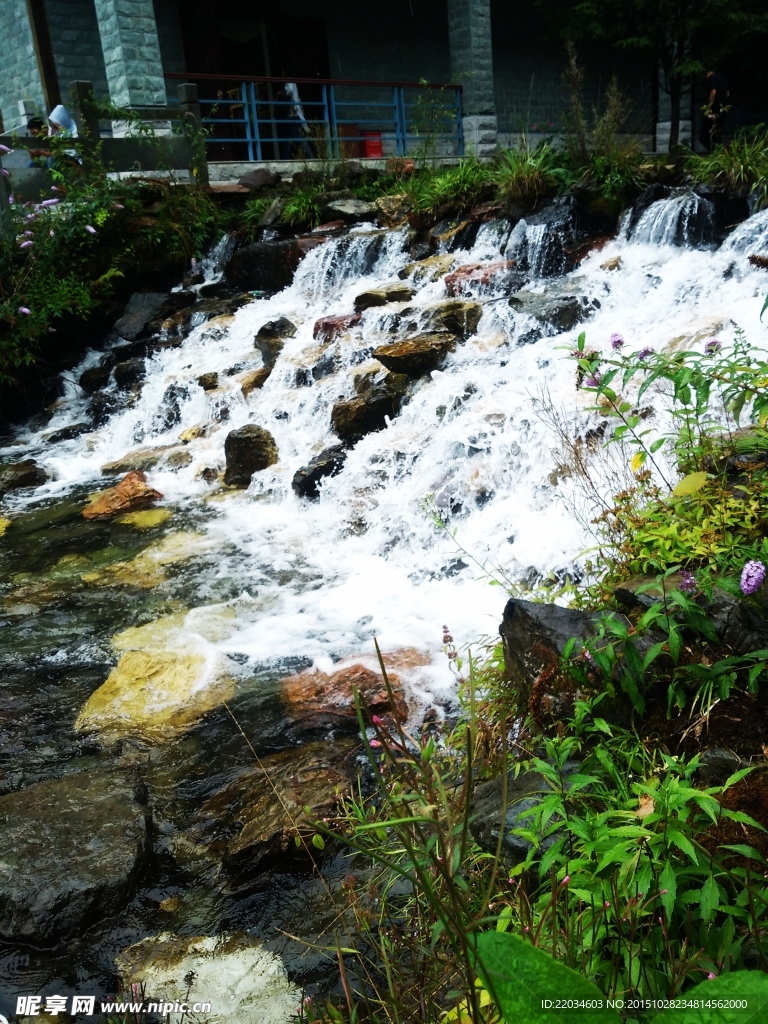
(255,819)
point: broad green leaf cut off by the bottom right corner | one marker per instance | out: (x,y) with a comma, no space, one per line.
(739,986)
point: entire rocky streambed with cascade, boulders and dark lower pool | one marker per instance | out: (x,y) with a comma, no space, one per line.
(204,534)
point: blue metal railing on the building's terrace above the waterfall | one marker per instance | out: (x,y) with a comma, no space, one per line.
(253,119)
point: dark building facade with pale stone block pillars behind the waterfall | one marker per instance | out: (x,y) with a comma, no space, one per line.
(498,51)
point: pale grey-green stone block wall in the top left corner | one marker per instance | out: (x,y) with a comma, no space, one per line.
(19,74)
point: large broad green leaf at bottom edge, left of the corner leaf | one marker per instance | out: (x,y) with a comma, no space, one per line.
(520,977)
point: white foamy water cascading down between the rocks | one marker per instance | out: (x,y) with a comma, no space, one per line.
(365,560)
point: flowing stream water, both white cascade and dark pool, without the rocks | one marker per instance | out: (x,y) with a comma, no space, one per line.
(270,582)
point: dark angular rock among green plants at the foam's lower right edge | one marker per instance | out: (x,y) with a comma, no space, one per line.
(534,637)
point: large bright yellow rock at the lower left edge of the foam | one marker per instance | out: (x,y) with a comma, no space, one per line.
(157,695)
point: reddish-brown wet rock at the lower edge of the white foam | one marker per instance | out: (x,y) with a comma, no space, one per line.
(328,701)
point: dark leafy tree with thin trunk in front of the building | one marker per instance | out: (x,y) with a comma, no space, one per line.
(685,37)
